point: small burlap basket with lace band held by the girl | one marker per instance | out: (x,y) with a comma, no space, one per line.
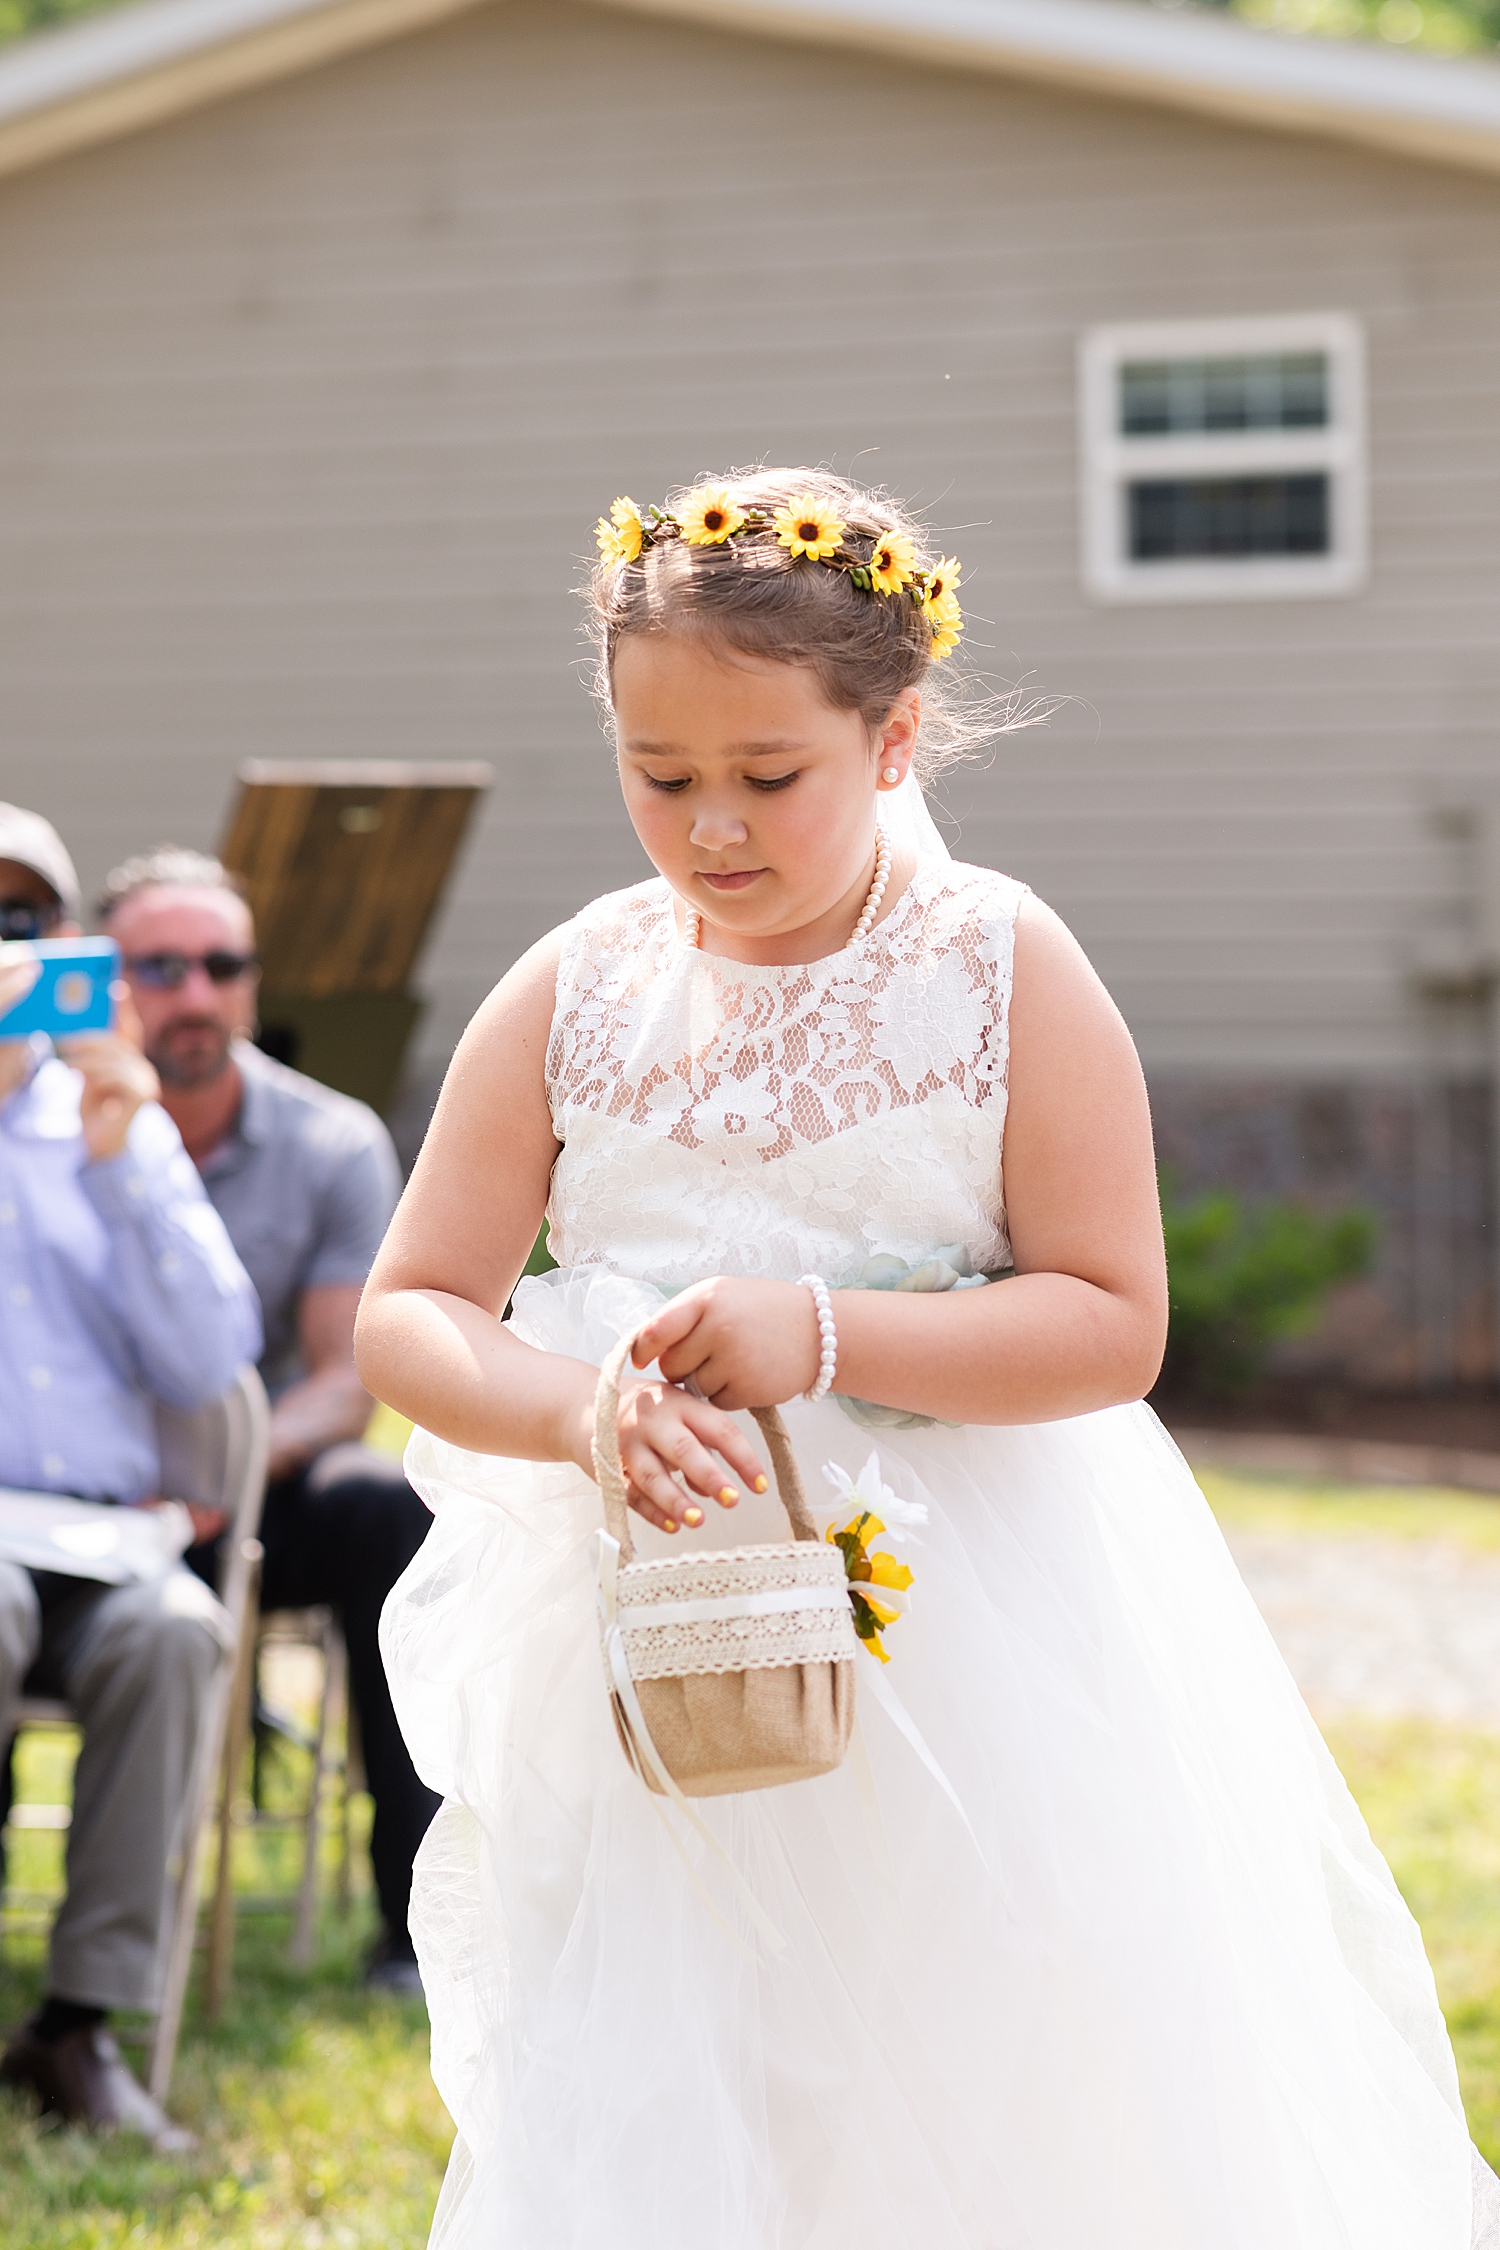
(728,1668)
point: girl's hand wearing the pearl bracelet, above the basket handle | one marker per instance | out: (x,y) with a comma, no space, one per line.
(741,1342)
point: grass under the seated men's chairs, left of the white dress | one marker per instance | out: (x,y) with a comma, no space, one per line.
(318,2121)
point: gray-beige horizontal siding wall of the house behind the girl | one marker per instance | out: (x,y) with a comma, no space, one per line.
(309,402)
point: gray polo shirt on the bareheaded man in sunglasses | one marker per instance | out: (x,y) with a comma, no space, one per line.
(307,1187)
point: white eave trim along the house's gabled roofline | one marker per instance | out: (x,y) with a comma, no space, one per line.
(154,60)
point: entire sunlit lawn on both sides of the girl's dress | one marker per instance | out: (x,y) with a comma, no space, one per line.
(320,2127)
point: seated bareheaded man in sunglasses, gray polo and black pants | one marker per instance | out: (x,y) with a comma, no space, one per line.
(307,1182)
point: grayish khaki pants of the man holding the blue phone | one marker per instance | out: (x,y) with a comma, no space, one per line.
(136,1664)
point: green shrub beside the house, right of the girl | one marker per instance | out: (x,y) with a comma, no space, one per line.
(1245,1277)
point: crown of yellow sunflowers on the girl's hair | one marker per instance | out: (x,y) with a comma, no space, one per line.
(806,528)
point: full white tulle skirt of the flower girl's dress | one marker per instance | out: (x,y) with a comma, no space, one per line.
(1148,1988)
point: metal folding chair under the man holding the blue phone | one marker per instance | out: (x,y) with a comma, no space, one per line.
(217,1459)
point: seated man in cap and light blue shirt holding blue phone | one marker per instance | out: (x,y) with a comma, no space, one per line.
(118,1288)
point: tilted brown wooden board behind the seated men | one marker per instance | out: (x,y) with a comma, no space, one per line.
(345,867)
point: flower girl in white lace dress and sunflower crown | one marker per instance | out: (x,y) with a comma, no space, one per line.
(1085,1945)
